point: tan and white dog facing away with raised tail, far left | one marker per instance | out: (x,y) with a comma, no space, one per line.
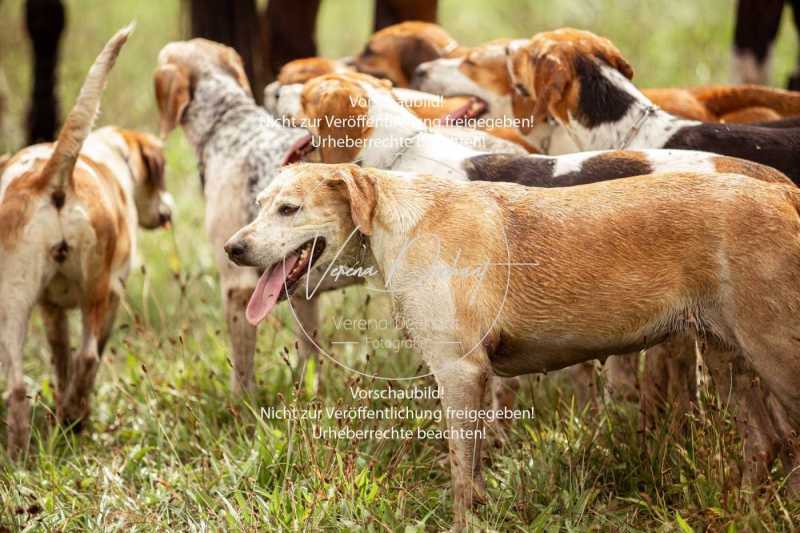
(69,213)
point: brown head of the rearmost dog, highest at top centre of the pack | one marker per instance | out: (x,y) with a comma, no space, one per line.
(395,52)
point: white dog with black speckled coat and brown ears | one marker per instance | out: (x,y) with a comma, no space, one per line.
(201,86)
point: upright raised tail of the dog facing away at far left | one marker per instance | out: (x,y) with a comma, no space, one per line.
(80,120)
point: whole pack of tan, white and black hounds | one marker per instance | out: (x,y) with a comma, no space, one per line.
(613,220)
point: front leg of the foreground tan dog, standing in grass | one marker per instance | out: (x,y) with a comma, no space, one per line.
(463,383)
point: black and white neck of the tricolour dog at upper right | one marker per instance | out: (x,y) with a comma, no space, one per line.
(612,114)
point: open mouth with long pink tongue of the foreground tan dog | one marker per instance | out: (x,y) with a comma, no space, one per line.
(279,280)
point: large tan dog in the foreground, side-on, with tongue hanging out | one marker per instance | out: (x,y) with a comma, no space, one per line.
(594,270)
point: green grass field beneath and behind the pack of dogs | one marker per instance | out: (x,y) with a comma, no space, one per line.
(170,448)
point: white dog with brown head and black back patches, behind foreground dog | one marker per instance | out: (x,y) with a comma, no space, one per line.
(400,141)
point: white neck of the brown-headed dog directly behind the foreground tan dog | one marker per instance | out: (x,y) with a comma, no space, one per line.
(400,141)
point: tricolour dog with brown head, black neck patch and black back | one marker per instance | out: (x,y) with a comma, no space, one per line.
(582,82)
